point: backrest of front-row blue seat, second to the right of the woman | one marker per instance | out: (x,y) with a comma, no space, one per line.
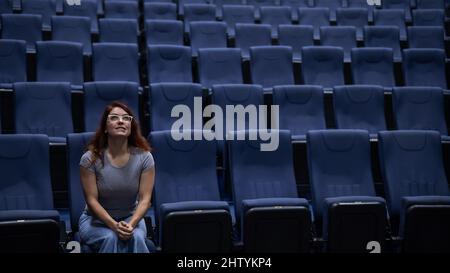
(260,174)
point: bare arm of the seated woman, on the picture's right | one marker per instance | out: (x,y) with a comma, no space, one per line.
(145,194)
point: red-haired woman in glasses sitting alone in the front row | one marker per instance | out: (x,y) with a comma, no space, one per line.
(117,174)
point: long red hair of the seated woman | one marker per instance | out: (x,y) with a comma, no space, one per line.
(100,141)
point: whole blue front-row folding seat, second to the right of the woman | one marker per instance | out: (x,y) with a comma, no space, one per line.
(269,214)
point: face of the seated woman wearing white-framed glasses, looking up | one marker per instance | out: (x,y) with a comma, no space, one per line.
(118,122)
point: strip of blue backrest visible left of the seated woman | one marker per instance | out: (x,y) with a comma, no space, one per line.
(76,146)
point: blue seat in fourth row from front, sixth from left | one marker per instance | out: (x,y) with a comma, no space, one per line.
(248,35)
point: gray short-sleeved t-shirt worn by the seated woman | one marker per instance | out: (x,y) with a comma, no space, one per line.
(118,188)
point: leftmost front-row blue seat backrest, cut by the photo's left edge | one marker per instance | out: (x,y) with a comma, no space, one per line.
(25,166)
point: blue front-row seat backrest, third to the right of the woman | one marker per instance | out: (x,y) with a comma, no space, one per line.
(339,164)
